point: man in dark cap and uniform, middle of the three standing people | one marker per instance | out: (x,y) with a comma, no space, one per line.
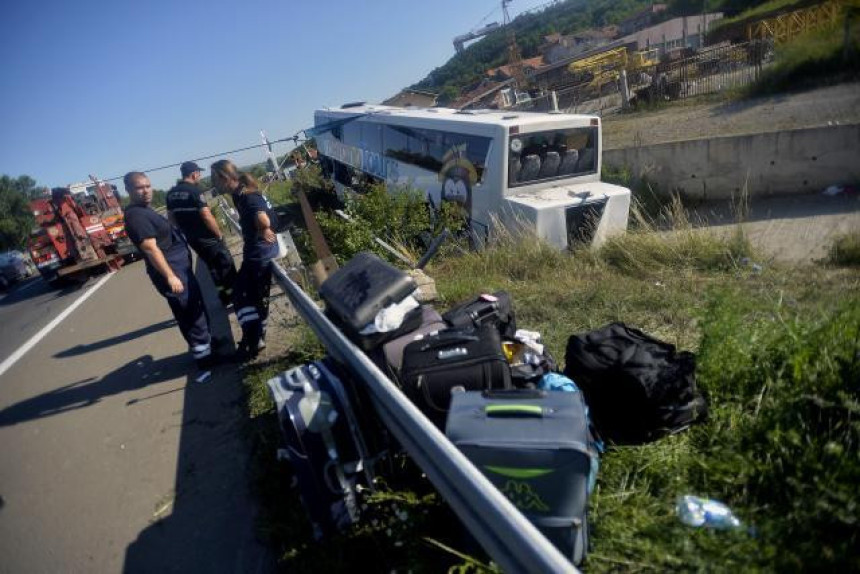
(187,210)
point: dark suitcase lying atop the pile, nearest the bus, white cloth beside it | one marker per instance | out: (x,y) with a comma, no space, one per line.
(356,292)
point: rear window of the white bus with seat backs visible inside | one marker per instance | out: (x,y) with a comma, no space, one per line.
(549,155)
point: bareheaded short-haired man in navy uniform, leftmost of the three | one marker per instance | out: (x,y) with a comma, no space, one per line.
(168,264)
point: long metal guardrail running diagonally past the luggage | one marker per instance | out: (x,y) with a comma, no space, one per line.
(512,541)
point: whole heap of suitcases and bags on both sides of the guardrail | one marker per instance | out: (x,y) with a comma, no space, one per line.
(492,388)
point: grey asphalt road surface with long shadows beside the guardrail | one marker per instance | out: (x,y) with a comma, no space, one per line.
(112,458)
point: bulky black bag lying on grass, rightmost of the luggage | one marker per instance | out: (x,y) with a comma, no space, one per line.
(637,387)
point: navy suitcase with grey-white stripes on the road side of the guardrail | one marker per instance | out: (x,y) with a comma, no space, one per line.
(325,443)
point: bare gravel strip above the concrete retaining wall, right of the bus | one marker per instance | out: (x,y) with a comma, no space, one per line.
(704,119)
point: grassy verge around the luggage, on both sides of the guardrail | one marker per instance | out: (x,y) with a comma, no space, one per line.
(778,355)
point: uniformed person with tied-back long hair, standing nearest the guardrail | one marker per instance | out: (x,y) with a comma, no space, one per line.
(258,221)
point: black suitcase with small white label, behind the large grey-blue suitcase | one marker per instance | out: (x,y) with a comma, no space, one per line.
(471,358)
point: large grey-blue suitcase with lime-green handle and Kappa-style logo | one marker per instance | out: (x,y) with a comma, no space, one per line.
(535,447)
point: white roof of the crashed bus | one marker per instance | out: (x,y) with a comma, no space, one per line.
(494,117)
